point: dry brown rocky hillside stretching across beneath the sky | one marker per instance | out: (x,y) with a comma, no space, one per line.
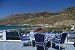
(64,17)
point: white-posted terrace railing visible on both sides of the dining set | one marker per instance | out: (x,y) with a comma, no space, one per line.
(14,36)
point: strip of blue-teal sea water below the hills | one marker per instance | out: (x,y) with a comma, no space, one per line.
(16,27)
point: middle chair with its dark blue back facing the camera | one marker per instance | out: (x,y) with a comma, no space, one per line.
(39,40)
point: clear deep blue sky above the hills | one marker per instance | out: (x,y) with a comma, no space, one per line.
(8,7)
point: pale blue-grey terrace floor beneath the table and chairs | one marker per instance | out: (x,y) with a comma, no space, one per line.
(16,46)
